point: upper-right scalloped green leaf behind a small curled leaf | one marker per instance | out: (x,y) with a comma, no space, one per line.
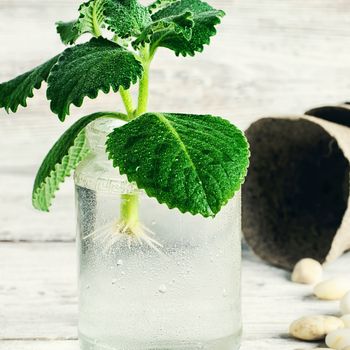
(205,20)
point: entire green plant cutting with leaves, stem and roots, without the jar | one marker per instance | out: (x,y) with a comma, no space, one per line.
(194,163)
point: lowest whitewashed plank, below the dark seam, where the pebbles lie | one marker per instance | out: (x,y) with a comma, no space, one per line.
(38,298)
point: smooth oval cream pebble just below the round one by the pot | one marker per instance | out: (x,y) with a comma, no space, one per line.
(332,289)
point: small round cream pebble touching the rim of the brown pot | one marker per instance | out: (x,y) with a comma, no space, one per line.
(307,271)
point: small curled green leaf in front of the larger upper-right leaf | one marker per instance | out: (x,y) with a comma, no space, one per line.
(174,25)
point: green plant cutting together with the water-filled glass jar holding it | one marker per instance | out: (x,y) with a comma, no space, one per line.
(158,217)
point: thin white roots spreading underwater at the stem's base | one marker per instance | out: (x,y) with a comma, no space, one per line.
(134,233)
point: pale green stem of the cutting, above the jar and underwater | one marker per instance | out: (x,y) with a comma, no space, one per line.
(129,213)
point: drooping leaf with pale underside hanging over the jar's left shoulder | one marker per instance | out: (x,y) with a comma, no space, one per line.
(63,157)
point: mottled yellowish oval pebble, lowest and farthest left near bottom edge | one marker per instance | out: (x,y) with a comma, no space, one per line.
(314,327)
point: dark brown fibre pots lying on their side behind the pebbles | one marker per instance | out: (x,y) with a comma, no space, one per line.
(296,197)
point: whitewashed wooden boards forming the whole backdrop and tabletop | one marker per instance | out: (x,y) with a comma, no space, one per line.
(274,57)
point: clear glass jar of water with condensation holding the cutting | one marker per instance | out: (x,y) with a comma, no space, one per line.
(176,285)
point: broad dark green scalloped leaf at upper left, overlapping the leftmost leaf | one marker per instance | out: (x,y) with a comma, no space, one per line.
(85,69)
